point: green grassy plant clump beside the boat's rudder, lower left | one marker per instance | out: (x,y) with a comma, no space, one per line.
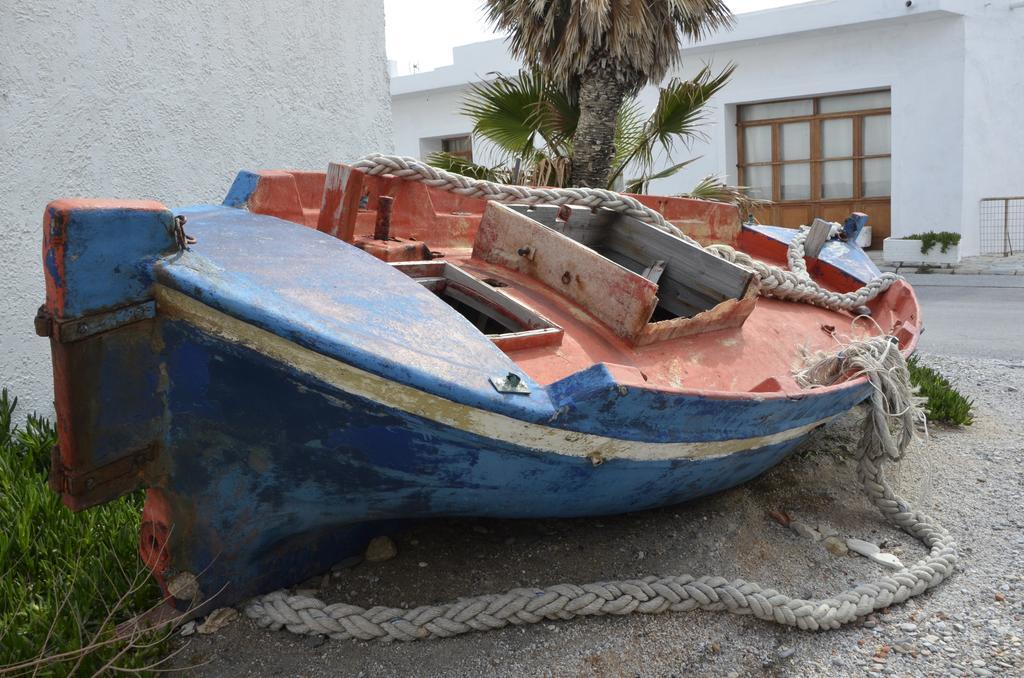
(66,579)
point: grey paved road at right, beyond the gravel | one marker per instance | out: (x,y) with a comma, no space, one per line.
(972,316)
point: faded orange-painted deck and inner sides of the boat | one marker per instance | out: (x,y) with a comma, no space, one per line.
(758,357)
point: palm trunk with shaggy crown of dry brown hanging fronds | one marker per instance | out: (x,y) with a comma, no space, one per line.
(603,52)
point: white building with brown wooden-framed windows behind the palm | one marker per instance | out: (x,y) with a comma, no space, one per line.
(911,112)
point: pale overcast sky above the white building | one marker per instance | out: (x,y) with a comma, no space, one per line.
(420,35)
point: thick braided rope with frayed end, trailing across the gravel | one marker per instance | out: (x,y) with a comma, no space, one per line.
(892,401)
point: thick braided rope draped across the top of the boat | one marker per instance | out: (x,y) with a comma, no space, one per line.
(794,285)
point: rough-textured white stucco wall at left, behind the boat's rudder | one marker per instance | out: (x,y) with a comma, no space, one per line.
(166,101)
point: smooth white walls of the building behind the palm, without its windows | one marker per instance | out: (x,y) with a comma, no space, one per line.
(956,69)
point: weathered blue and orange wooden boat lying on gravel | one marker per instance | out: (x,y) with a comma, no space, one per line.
(285,396)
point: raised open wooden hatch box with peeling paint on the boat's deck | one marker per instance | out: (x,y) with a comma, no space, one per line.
(644,284)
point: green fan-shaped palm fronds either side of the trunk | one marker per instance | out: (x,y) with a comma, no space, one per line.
(533,123)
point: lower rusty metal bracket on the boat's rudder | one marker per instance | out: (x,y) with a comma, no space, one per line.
(100,484)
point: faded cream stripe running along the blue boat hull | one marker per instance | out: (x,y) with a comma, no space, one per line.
(463,417)
